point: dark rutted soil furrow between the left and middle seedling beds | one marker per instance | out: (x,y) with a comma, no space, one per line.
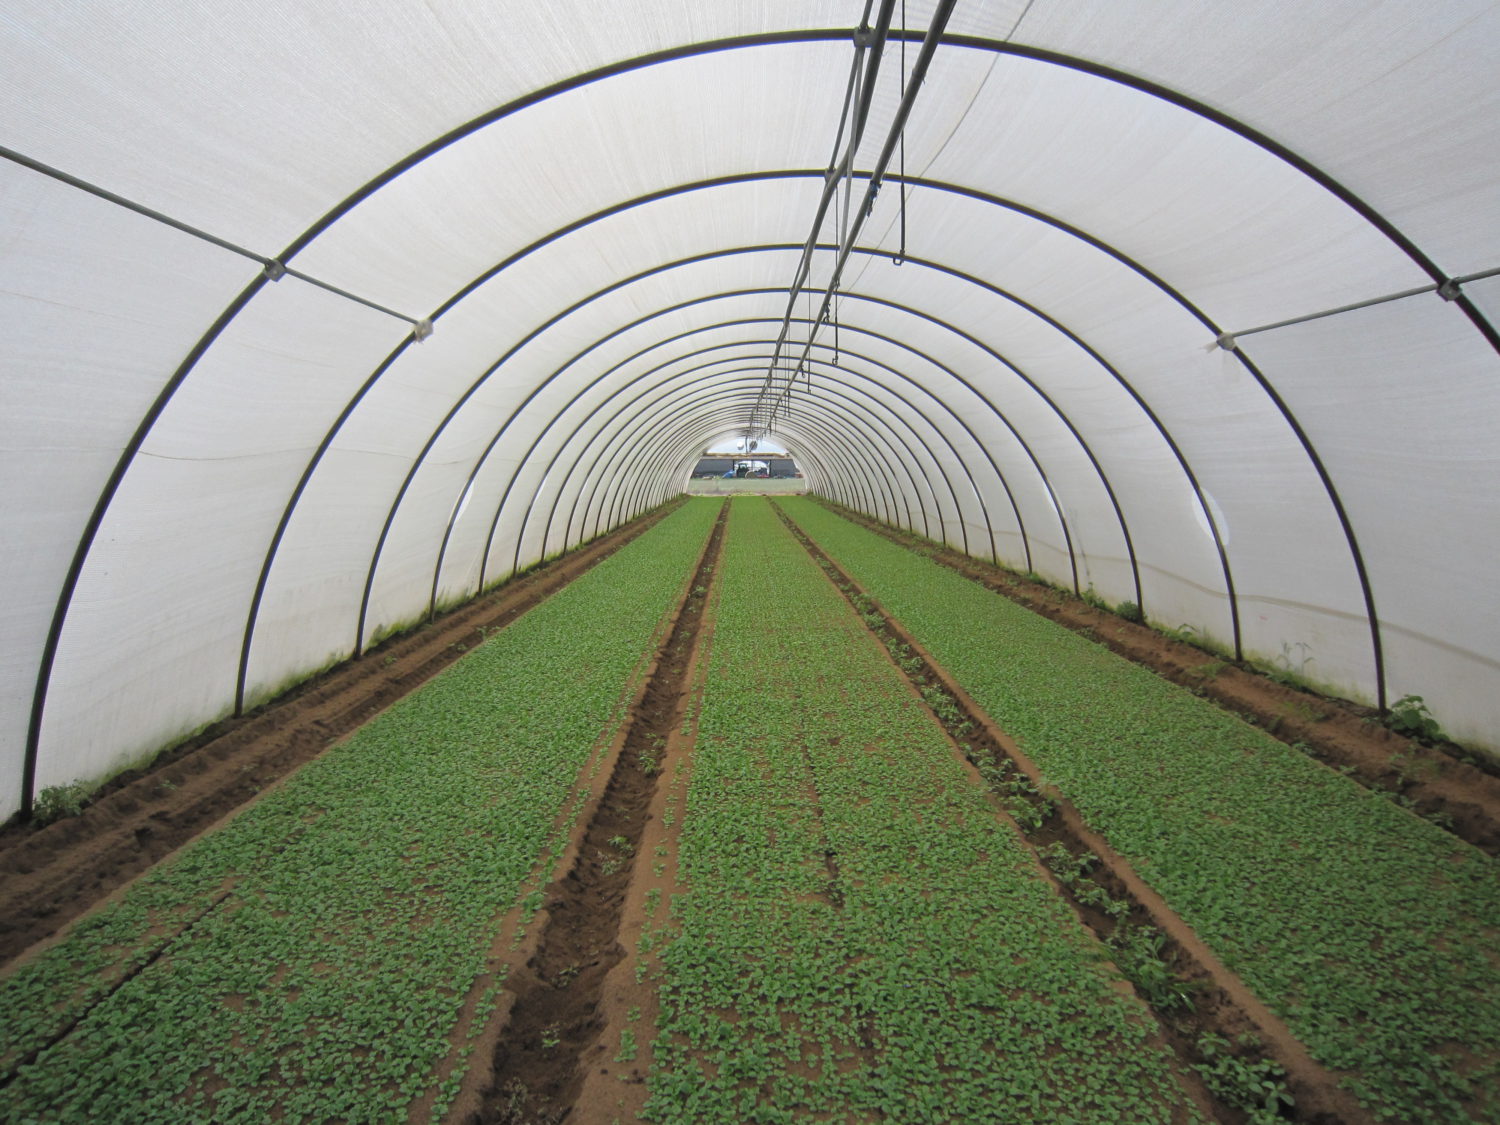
(557,1016)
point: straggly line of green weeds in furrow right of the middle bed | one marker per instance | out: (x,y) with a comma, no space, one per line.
(1237,1069)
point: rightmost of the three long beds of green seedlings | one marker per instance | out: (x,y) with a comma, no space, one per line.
(1372,932)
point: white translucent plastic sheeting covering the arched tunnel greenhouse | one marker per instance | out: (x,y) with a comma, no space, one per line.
(220,478)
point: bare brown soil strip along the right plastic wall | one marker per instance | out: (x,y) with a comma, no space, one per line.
(1460,796)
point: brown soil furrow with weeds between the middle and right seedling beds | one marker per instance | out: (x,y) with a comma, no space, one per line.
(1222,1004)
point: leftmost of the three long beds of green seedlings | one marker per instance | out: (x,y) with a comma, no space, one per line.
(332,952)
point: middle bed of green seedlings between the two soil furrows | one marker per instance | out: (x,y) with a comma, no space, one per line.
(863,935)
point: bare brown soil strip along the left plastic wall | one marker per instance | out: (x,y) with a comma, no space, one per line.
(55,874)
